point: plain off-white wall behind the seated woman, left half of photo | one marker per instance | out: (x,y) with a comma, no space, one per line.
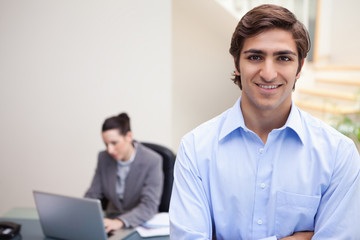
(64,67)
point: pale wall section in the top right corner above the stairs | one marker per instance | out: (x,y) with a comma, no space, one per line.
(338,32)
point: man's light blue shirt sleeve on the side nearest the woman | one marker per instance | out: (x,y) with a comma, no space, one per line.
(189,212)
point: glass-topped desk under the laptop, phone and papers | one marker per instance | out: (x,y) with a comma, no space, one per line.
(31,227)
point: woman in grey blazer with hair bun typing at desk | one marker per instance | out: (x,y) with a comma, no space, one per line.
(128,177)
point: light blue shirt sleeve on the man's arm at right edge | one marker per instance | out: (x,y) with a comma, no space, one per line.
(339,209)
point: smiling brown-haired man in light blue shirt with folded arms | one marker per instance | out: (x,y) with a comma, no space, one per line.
(264,169)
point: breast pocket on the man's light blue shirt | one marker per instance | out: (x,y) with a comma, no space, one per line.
(294,213)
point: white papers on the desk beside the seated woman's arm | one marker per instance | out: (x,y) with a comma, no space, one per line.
(156,226)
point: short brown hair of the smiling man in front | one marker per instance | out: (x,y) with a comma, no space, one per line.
(265,17)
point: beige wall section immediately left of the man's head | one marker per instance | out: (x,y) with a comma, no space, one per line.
(202,64)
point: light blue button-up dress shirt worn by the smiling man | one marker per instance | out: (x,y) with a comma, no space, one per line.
(228,183)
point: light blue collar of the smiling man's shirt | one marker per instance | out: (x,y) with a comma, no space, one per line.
(234,119)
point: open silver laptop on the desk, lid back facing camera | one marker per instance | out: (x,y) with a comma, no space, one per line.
(72,218)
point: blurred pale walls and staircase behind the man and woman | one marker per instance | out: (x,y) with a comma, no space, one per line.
(65,66)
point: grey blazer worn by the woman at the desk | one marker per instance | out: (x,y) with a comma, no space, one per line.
(143,186)
